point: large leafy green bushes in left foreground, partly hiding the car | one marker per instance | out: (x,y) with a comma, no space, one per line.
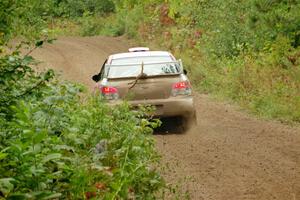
(56,144)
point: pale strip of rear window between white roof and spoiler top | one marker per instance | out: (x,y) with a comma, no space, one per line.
(140,59)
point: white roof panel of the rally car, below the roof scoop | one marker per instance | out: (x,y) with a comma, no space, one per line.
(140,54)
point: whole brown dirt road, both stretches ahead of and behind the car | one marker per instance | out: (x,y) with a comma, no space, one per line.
(227,156)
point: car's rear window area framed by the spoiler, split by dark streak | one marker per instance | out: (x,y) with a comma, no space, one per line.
(149,69)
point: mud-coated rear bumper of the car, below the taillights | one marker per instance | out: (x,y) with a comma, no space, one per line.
(173,106)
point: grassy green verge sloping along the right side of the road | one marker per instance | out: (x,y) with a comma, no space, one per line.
(267,83)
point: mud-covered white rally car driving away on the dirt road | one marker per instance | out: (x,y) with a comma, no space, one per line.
(149,78)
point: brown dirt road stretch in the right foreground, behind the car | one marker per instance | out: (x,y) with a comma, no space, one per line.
(230,155)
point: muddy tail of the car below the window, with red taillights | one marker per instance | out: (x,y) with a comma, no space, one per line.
(170,95)
